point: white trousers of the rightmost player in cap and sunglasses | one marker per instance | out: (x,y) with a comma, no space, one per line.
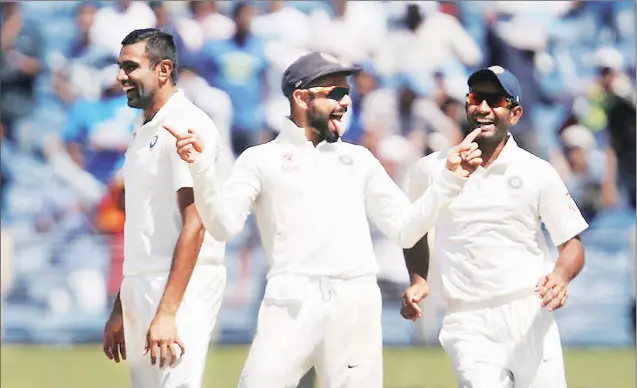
(504,343)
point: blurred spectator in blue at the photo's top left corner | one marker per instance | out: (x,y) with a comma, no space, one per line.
(22,48)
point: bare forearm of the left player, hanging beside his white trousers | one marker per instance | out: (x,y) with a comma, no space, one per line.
(184,261)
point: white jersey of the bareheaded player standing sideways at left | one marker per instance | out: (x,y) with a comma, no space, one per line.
(153,173)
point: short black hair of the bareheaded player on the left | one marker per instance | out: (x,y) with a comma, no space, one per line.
(159,46)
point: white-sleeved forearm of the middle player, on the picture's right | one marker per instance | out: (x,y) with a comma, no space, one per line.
(420,216)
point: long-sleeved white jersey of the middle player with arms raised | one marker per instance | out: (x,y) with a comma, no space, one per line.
(311,204)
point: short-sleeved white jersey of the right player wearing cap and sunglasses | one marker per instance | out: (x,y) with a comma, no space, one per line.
(488,240)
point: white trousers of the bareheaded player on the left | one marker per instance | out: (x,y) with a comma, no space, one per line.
(196,317)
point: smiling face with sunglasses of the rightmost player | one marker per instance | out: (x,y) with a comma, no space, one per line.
(489,108)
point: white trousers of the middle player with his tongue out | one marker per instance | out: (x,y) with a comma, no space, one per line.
(335,327)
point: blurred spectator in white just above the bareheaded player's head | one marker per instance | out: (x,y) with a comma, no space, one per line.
(118,18)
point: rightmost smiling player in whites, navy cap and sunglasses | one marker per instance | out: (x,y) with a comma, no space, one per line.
(499,329)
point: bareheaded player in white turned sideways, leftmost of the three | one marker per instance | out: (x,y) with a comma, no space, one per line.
(174,276)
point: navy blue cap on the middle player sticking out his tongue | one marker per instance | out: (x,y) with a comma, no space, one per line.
(310,67)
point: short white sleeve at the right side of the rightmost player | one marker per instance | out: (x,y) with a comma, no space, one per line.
(558,210)
